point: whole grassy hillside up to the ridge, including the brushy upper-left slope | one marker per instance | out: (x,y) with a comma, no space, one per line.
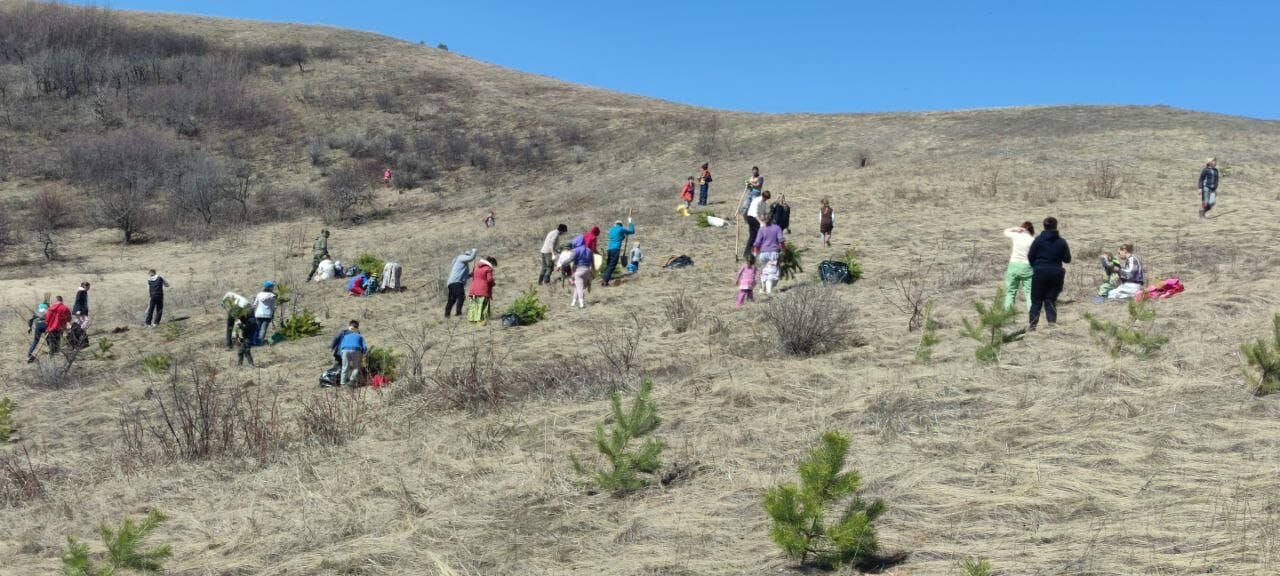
(1058,460)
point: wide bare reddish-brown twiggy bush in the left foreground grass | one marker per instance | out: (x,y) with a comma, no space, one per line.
(194,417)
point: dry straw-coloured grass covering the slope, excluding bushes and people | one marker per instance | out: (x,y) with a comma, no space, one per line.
(1060,460)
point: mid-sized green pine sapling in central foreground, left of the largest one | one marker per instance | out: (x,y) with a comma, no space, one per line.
(628,470)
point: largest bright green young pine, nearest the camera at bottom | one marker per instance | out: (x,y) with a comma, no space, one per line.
(801,513)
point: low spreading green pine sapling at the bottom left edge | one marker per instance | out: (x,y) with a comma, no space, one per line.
(124,551)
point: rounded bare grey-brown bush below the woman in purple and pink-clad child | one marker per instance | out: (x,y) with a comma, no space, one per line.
(810,321)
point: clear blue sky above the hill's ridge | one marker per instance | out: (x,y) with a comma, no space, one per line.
(829,57)
